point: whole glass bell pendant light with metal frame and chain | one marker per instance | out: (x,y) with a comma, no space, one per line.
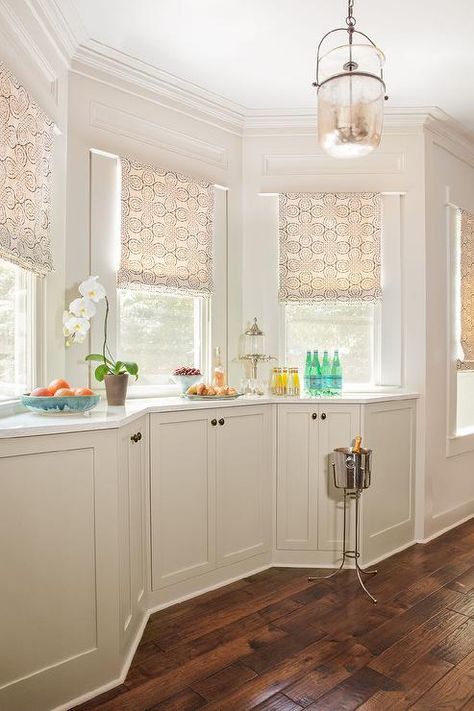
(351,92)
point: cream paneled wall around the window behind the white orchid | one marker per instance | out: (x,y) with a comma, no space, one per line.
(120,121)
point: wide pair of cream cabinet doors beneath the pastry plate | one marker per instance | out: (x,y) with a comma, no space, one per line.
(210,490)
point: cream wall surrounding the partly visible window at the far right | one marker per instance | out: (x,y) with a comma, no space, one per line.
(449,490)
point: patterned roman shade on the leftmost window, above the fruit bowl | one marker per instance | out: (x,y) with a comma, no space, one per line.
(26,141)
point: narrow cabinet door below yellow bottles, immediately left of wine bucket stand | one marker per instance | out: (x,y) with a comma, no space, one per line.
(297,477)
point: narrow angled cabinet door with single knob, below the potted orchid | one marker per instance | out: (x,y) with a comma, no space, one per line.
(133,470)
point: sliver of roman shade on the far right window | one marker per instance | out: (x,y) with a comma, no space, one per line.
(467,290)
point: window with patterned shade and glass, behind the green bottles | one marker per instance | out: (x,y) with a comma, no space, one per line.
(330,278)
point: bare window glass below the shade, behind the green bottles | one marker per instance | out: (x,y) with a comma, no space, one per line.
(346,326)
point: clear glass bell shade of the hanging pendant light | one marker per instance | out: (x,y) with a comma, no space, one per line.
(350,115)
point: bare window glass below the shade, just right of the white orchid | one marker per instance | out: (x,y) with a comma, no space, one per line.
(161,331)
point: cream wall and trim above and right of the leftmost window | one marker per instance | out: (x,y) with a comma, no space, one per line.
(27,49)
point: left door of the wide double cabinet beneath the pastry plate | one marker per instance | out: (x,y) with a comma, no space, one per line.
(182,495)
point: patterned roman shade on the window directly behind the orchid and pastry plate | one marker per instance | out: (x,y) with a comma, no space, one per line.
(167,230)
